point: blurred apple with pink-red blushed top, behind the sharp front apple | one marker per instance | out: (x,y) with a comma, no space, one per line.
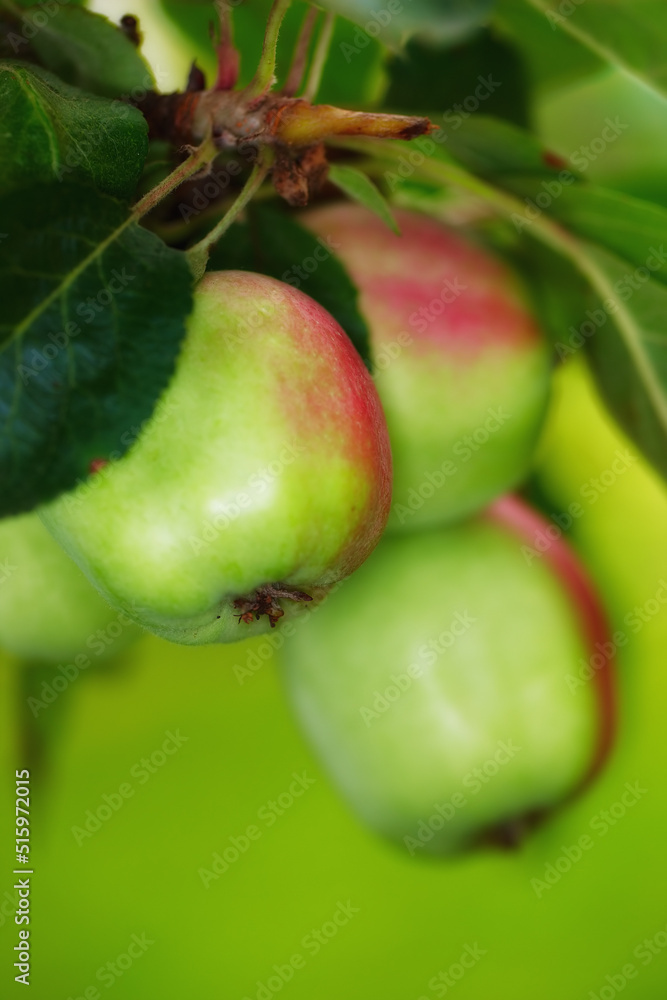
(467,382)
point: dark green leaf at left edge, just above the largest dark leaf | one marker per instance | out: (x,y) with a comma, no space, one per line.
(51,131)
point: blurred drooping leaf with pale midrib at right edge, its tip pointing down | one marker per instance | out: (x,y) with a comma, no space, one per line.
(629,354)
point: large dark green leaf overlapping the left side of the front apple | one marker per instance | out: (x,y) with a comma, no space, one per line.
(94,311)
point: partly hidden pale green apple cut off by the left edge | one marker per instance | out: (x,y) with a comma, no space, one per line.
(49,612)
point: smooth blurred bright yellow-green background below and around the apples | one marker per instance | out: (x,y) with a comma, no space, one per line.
(139,876)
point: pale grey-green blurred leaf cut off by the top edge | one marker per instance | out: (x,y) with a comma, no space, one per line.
(396,21)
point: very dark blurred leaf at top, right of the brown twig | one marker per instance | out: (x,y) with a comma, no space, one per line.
(486,72)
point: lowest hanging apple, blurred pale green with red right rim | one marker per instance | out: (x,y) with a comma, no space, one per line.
(447,687)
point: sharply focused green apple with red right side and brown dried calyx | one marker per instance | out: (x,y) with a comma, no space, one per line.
(267,461)
